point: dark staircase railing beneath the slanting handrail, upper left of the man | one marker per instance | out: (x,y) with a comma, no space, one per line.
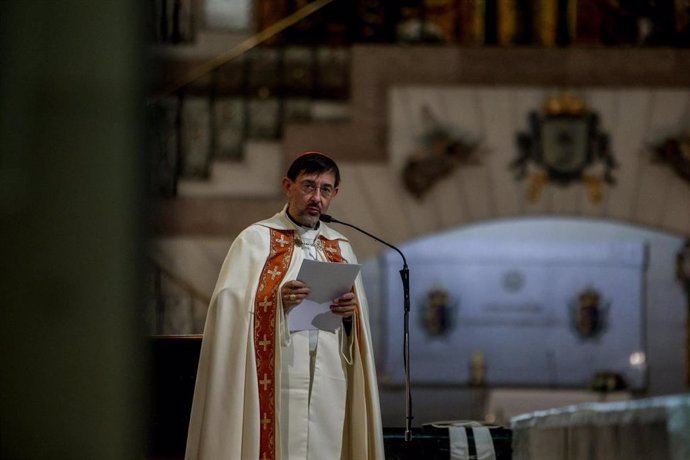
(241,94)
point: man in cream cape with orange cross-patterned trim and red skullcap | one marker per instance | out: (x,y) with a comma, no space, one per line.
(264,392)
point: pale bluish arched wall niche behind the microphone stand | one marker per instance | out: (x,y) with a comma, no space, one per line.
(641,295)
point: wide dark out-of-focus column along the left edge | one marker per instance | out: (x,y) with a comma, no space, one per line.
(70,226)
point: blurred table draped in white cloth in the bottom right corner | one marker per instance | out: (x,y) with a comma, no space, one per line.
(653,428)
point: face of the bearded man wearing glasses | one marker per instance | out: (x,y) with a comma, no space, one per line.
(309,196)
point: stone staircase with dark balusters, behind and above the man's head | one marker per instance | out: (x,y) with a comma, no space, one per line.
(222,134)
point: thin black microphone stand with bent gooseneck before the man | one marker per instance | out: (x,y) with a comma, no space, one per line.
(405,275)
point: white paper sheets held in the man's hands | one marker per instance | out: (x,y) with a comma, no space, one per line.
(326,281)
